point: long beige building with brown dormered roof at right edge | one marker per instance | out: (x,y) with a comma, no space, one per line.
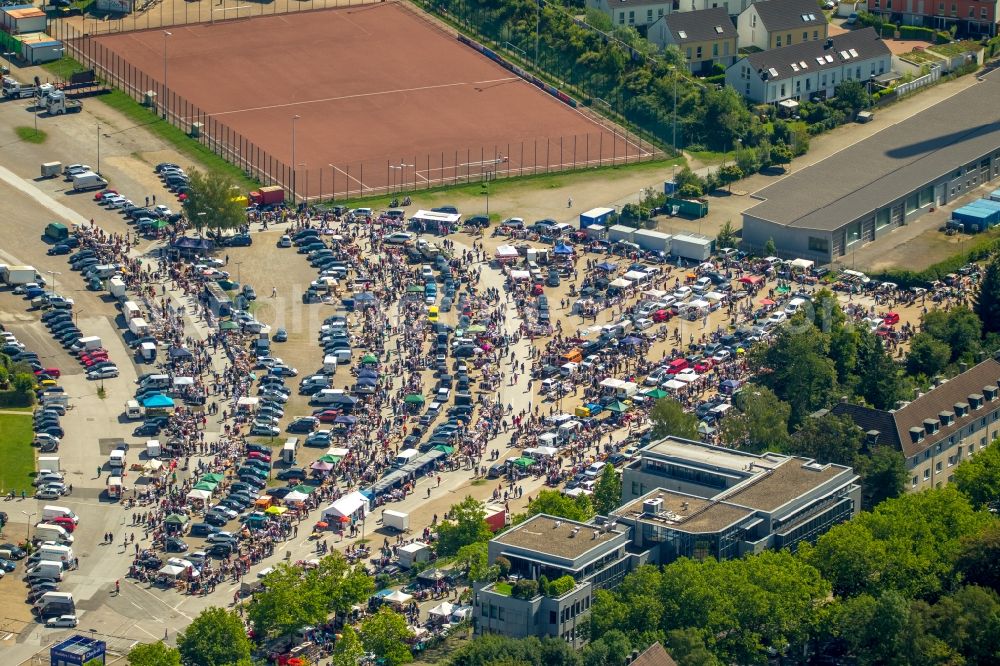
(938,429)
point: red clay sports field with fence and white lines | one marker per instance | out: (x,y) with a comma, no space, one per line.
(385,99)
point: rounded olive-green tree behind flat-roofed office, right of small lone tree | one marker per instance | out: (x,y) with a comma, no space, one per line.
(760,421)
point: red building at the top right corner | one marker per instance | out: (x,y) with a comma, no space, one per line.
(975,18)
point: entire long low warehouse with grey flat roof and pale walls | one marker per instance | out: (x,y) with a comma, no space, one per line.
(865,191)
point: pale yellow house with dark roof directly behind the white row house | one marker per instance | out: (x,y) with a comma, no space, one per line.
(774,24)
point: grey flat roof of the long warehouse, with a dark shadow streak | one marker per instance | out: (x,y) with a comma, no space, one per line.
(889,164)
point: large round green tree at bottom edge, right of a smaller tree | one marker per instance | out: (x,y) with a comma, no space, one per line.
(215,638)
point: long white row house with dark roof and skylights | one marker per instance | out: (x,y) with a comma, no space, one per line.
(809,70)
